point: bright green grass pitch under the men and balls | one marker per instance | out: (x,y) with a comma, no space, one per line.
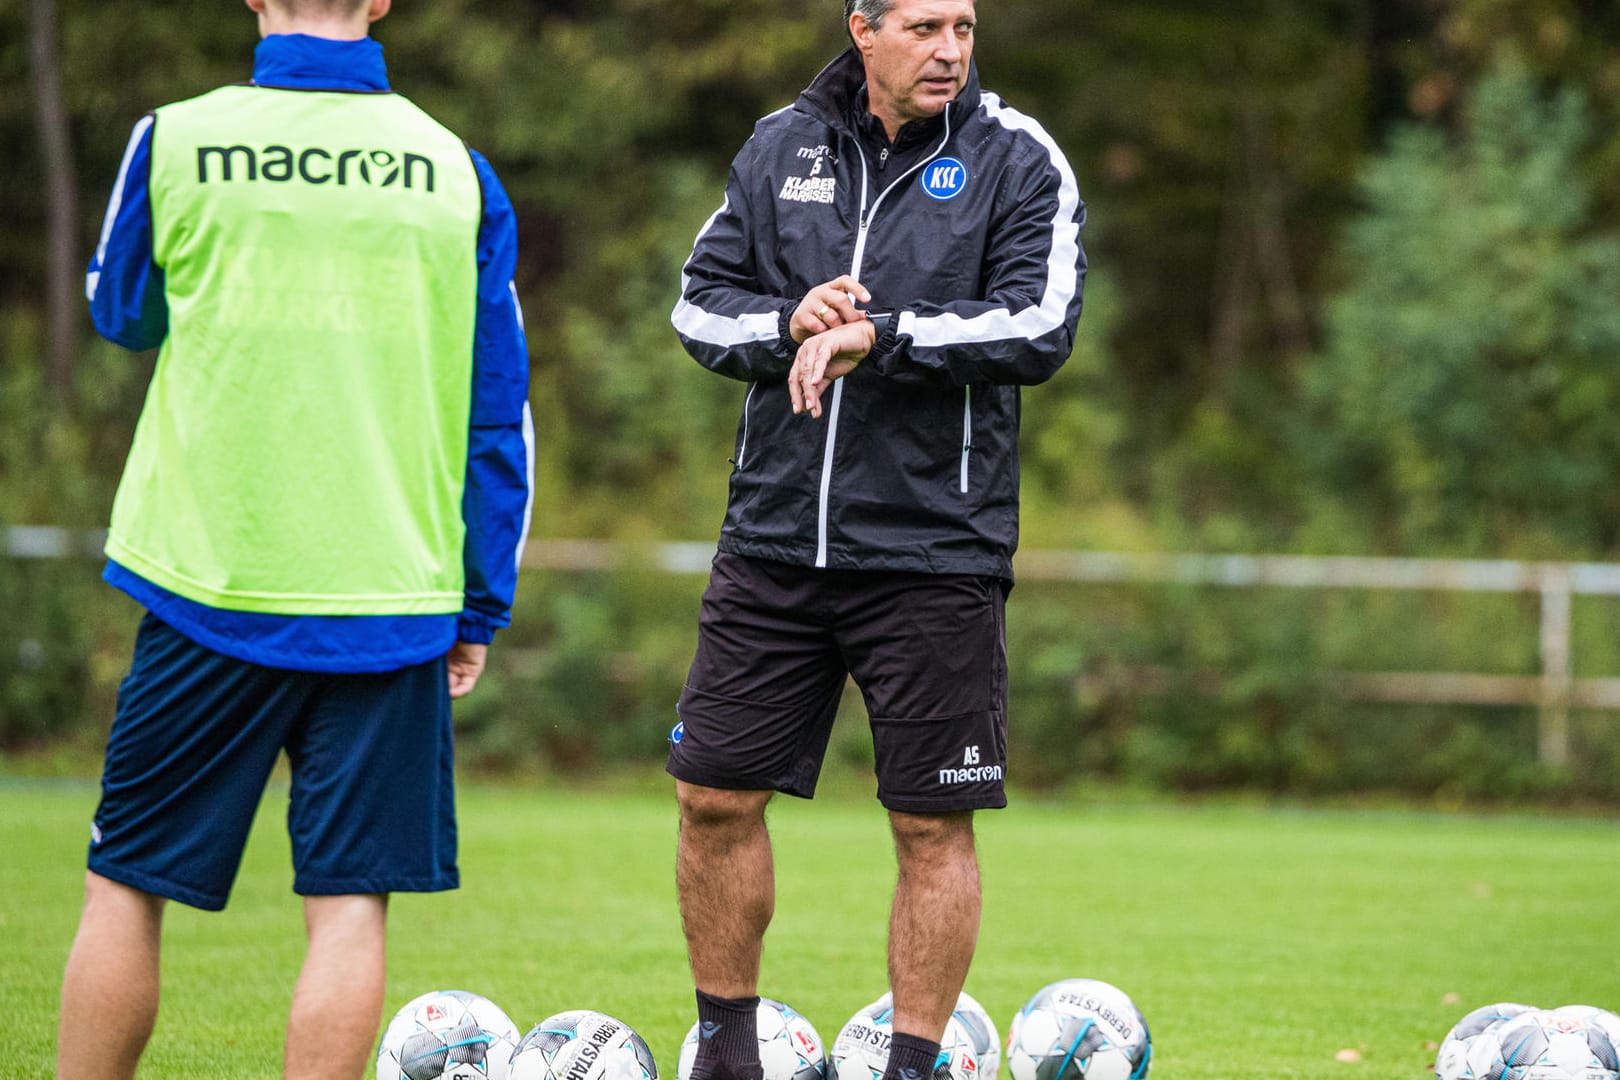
(1258,943)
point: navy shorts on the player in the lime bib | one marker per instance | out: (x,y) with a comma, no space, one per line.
(197,734)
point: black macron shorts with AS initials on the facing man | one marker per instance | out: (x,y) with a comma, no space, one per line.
(775,647)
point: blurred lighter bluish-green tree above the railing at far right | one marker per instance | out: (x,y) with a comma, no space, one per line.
(1472,376)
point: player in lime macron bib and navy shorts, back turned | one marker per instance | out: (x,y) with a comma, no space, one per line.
(322,514)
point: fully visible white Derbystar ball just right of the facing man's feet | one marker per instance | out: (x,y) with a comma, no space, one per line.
(1080,1029)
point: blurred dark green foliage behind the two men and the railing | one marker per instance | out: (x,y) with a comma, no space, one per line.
(1354,291)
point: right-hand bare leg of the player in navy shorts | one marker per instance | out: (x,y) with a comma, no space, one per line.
(338,1005)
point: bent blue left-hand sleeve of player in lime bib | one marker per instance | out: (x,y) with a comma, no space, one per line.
(124,284)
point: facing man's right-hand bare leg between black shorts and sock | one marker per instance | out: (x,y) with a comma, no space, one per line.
(934,927)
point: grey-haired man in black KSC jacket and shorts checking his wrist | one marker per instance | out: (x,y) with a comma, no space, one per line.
(898,253)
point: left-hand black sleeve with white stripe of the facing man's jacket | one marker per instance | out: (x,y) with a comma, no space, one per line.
(722,318)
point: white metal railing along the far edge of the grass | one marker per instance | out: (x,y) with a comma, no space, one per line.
(1554,692)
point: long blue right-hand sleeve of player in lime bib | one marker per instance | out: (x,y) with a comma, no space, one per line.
(501,433)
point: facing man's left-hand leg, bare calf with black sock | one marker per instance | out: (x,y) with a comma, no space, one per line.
(728,895)
